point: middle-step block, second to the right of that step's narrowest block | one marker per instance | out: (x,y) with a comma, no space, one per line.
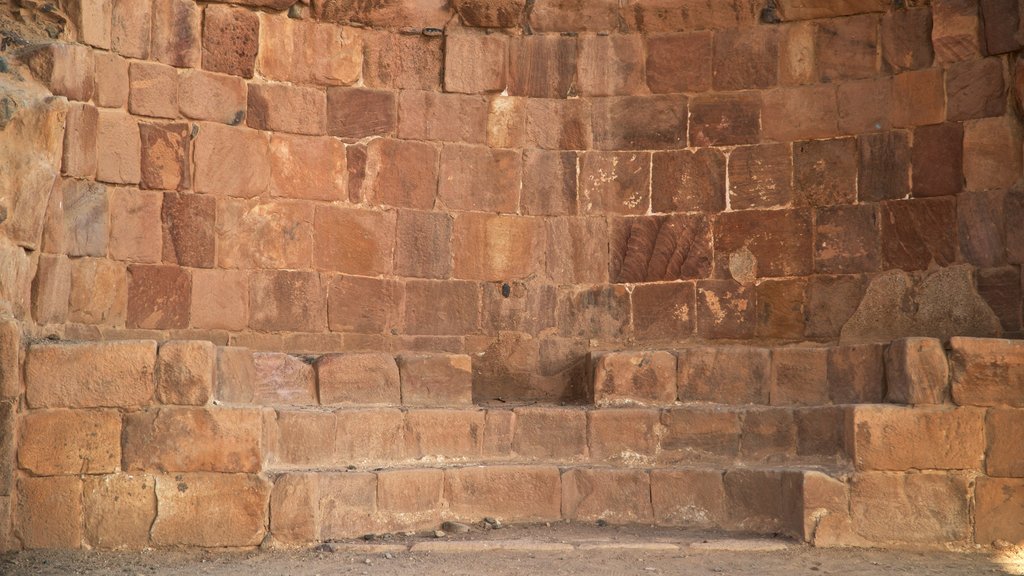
(626,437)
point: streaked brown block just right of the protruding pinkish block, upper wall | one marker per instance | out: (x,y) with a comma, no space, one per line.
(543,66)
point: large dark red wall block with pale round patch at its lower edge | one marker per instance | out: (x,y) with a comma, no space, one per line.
(780,241)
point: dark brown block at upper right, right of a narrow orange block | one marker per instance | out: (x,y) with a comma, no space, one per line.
(975,90)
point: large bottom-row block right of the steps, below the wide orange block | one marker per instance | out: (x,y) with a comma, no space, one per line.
(929,509)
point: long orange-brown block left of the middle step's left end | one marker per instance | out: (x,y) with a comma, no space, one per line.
(220,440)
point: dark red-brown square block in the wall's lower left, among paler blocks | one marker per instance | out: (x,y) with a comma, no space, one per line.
(159,297)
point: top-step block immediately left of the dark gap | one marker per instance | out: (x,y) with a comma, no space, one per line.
(436,380)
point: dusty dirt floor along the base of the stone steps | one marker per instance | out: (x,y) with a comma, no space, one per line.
(527,551)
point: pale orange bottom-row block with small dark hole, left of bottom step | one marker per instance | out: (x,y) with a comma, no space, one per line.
(192,511)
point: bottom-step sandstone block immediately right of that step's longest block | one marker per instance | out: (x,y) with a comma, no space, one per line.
(614,496)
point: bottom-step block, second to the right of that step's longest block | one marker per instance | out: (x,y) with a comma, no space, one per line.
(688,499)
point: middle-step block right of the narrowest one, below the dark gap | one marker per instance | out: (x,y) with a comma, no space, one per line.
(546,434)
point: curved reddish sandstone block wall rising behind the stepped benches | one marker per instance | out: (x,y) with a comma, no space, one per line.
(527,182)
